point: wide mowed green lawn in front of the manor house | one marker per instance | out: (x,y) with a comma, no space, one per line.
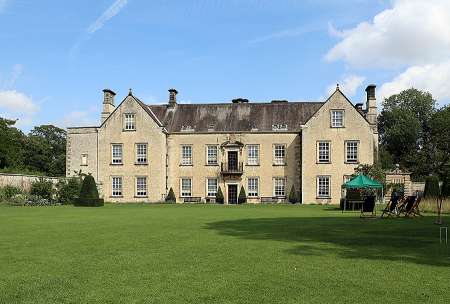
(218,254)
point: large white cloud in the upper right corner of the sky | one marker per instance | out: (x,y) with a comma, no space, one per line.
(412,32)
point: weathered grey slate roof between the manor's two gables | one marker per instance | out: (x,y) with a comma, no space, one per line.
(235,117)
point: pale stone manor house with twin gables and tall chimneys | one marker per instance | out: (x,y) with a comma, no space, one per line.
(140,151)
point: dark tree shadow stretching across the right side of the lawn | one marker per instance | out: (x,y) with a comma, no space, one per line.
(408,240)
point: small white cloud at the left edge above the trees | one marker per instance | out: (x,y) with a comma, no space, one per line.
(17,105)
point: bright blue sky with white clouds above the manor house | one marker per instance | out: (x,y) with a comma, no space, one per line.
(57,56)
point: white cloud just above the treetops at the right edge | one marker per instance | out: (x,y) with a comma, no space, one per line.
(434,78)
